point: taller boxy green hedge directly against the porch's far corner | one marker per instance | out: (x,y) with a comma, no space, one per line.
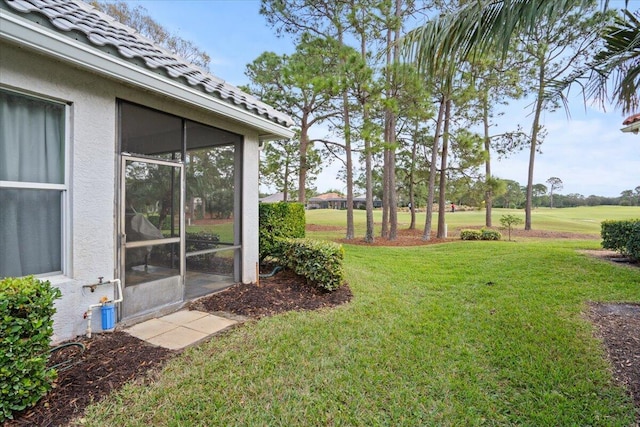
(279,220)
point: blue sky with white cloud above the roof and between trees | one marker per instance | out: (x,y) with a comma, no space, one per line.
(587,151)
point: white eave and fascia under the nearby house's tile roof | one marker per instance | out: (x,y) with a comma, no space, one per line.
(45,41)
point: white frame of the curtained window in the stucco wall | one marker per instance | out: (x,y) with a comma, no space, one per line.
(65,226)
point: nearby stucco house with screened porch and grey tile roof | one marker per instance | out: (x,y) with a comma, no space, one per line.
(100,128)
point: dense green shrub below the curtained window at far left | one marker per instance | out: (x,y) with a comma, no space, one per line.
(26,326)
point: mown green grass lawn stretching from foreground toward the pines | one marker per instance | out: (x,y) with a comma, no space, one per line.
(462,333)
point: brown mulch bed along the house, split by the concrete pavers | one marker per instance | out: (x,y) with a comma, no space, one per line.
(112,359)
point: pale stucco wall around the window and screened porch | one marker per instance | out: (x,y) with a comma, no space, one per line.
(92,164)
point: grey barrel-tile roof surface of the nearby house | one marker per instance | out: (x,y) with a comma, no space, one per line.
(71,17)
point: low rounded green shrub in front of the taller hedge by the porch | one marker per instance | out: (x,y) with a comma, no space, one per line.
(319,262)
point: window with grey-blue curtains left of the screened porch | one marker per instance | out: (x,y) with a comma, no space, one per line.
(32,185)
